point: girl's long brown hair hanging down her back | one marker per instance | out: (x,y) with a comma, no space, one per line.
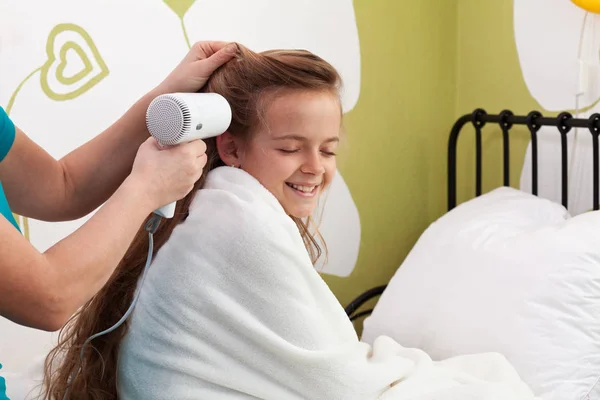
(244,82)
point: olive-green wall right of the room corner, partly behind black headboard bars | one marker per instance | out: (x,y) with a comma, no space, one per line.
(489,77)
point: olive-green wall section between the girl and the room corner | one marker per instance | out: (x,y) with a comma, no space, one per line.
(394,161)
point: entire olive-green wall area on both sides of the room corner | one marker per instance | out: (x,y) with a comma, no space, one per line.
(424,64)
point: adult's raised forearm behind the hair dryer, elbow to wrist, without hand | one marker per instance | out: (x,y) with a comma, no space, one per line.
(95,170)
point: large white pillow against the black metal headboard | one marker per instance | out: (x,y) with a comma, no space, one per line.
(507,272)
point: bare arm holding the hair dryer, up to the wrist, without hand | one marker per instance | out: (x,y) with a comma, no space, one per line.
(42,290)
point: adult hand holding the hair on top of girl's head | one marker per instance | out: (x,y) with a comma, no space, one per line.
(193,71)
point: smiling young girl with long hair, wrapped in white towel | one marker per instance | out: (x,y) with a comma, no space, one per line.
(231,306)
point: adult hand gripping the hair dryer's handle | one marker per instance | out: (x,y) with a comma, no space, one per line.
(169,174)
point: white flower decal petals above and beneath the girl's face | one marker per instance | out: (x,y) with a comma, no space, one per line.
(327,28)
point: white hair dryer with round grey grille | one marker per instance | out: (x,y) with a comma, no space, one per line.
(182,117)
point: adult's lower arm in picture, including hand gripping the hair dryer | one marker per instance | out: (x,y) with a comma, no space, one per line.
(42,290)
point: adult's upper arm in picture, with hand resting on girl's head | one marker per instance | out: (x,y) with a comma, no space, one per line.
(38,186)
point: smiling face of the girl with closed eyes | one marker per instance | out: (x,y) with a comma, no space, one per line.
(292,154)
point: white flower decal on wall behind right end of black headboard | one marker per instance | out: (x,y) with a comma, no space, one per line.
(558,44)
